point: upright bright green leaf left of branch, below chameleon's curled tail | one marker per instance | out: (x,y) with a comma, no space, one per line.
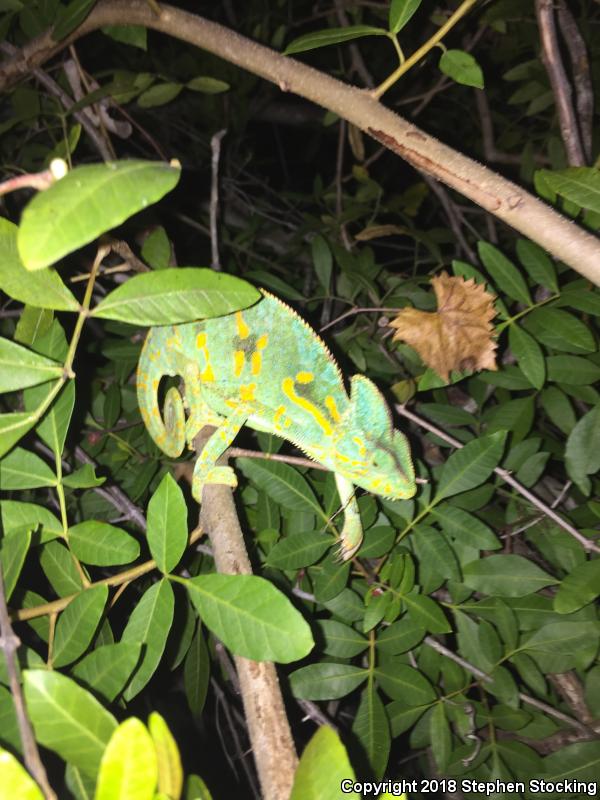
(167,524)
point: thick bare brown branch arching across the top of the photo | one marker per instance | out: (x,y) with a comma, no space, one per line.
(509,202)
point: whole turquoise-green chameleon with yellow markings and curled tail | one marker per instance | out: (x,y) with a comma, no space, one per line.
(266,368)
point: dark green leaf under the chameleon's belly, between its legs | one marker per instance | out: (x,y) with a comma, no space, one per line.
(282,483)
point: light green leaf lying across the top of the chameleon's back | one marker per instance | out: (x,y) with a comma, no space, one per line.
(169,296)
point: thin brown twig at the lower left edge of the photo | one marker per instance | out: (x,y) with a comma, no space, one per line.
(10,644)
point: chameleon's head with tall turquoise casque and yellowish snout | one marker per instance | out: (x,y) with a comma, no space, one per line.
(370,453)
